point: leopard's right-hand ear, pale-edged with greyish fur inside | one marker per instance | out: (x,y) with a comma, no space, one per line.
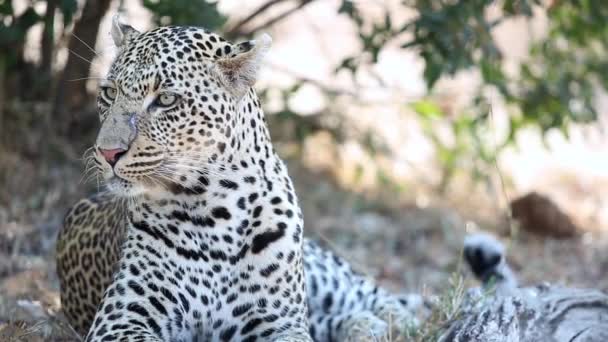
(239,70)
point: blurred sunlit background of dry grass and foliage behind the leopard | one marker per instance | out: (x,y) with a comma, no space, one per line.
(405,124)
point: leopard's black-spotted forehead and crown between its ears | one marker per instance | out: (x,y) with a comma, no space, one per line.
(166,47)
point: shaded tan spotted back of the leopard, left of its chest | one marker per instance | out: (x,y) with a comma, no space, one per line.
(88,248)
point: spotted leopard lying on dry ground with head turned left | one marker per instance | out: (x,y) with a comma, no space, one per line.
(199,235)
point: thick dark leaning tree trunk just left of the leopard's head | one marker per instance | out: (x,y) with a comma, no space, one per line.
(72,96)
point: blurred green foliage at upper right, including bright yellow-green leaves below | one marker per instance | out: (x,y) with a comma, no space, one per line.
(554,87)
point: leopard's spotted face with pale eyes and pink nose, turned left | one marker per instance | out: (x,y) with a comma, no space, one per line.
(168,108)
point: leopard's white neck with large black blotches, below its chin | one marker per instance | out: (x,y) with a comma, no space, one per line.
(252,210)
